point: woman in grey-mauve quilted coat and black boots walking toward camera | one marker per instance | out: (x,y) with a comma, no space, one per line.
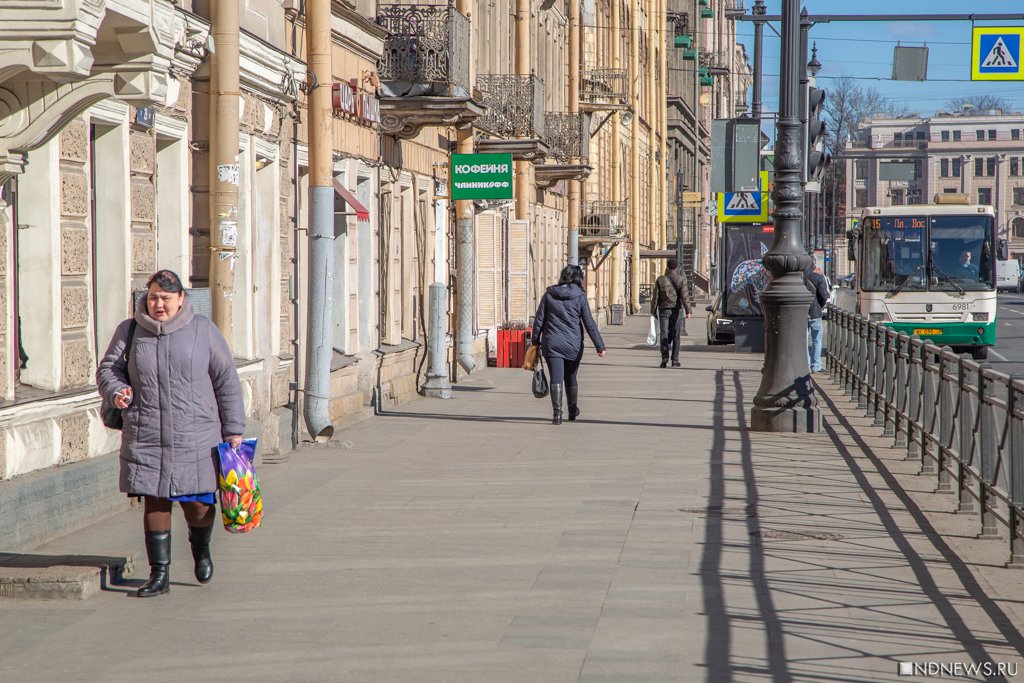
(173,374)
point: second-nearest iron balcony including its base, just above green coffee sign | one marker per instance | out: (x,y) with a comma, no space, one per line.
(515,121)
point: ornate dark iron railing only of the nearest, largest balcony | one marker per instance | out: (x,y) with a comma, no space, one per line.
(426,52)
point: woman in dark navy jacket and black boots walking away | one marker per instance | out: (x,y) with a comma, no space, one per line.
(563,315)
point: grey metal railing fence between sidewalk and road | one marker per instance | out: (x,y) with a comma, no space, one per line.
(961,419)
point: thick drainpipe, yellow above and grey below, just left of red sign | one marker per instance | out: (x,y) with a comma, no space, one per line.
(320,348)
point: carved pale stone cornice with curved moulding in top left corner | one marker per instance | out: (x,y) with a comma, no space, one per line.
(59,58)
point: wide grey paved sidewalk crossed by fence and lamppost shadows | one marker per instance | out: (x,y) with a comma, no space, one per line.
(470,540)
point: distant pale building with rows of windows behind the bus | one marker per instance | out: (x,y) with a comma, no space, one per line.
(976,153)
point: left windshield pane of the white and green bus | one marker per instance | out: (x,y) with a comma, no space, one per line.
(894,253)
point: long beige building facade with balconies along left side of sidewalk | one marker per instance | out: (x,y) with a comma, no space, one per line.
(107,140)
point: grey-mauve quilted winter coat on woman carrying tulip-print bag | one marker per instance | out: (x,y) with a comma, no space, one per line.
(187,399)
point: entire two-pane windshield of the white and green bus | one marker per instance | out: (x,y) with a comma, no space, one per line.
(951,253)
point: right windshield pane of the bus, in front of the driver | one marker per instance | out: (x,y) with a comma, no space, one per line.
(962,253)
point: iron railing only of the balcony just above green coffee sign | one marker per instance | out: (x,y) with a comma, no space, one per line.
(516,106)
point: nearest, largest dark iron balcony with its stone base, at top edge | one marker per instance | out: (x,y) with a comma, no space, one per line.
(424,69)
